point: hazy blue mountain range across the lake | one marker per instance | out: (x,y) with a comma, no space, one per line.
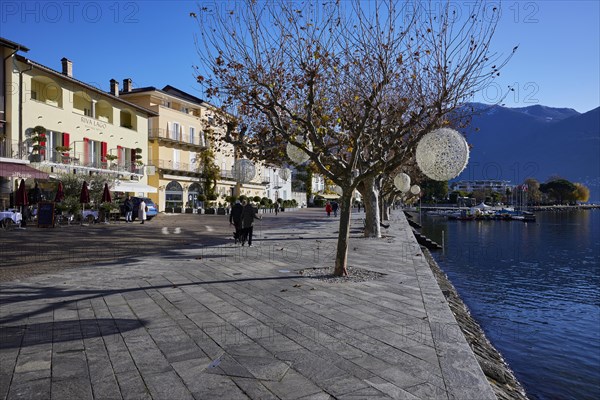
(534,142)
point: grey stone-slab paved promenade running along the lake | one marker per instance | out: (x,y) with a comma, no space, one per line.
(217,321)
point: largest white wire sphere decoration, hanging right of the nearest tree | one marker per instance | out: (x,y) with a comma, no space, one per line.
(442,154)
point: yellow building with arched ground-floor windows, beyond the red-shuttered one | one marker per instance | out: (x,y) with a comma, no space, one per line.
(183,130)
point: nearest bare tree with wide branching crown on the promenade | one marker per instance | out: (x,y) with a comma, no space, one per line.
(361,81)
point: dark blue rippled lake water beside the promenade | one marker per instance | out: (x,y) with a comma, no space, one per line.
(535,290)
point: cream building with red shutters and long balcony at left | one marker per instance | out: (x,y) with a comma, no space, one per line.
(86,130)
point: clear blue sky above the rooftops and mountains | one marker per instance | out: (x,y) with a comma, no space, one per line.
(151,42)
